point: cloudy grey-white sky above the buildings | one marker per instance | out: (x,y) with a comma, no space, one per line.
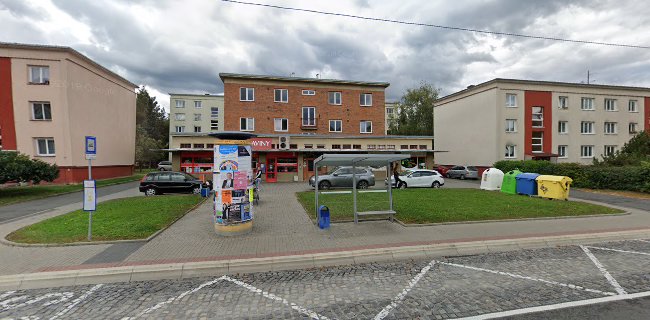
(181,46)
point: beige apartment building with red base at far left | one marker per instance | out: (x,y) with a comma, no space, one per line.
(52,97)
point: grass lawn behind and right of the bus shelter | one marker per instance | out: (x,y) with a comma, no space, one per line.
(419,206)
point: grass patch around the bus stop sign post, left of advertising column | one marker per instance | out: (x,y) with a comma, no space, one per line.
(119,219)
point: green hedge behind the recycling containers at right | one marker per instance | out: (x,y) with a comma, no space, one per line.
(631,178)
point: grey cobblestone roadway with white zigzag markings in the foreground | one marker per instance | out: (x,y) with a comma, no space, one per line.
(487,285)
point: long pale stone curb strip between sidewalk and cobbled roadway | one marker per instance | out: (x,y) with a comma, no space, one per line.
(177,271)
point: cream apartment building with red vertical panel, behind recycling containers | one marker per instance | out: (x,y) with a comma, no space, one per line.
(505,119)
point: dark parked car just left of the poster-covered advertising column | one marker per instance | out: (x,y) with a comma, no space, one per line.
(170,182)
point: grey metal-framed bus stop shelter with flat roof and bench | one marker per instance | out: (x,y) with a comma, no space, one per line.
(355,160)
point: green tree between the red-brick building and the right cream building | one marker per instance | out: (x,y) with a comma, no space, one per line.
(415,112)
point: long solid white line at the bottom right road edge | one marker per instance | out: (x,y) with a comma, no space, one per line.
(557,306)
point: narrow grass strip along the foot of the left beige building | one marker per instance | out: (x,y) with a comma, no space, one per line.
(13,195)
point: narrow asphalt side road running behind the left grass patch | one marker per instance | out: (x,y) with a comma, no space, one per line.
(19,210)
